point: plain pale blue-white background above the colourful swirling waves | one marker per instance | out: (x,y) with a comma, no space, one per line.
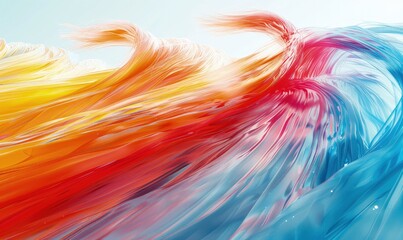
(42,21)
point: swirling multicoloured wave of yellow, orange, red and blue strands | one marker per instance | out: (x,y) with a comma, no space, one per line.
(301,140)
